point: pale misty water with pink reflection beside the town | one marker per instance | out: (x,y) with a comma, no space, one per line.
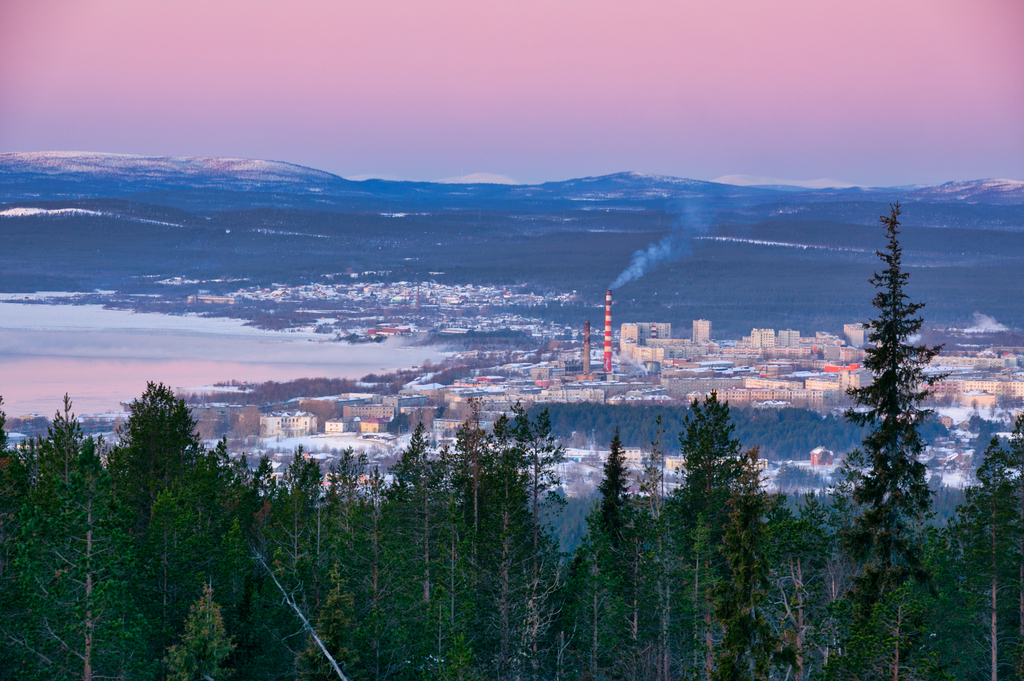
(102,358)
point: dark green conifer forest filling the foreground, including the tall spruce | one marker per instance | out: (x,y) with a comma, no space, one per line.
(154,558)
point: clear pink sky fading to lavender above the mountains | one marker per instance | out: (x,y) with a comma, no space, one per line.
(873,93)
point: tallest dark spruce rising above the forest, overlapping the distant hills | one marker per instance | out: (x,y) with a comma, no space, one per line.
(893,494)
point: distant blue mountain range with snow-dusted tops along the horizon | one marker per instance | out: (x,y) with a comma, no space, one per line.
(71,176)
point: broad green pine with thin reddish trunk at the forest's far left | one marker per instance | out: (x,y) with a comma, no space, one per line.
(80,621)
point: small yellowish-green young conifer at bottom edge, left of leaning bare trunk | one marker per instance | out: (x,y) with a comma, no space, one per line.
(205,645)
